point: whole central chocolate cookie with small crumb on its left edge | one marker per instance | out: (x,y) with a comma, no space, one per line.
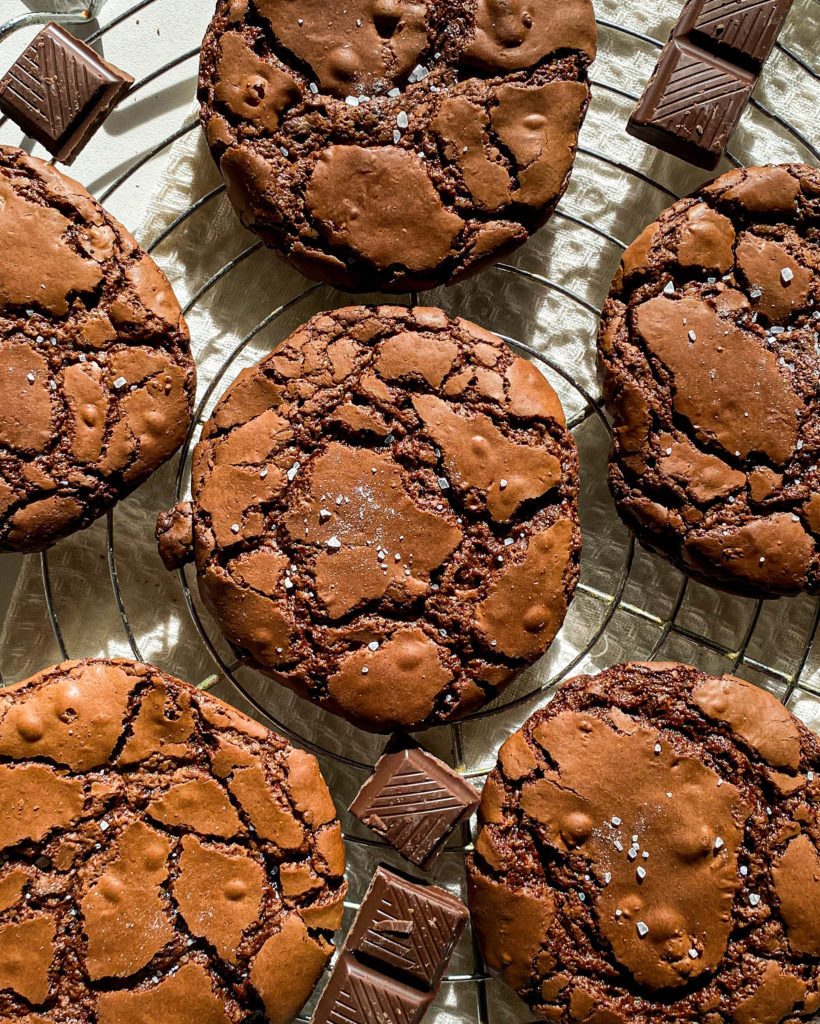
(385,516)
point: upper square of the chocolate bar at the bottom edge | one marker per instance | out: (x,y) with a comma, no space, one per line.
(408,929)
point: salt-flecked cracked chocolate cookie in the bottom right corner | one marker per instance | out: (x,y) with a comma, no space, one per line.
(650,851)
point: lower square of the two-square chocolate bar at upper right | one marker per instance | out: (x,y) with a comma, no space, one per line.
(692,105)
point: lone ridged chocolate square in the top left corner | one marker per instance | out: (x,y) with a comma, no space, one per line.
(60,92)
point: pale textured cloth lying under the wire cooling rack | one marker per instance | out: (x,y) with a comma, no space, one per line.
(626,601)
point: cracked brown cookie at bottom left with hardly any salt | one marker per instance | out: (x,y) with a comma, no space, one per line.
(162,857)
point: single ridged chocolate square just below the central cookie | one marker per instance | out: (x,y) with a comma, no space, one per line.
(415,801)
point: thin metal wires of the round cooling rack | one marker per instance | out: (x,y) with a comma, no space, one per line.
(613,601)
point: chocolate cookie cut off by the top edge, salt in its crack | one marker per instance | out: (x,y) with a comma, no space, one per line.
(396,145)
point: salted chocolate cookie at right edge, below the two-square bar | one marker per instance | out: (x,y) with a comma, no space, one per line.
(709,347)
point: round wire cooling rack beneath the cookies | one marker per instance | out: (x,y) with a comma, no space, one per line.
(612,602)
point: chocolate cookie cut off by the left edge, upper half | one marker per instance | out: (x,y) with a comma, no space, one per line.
(97,380)
